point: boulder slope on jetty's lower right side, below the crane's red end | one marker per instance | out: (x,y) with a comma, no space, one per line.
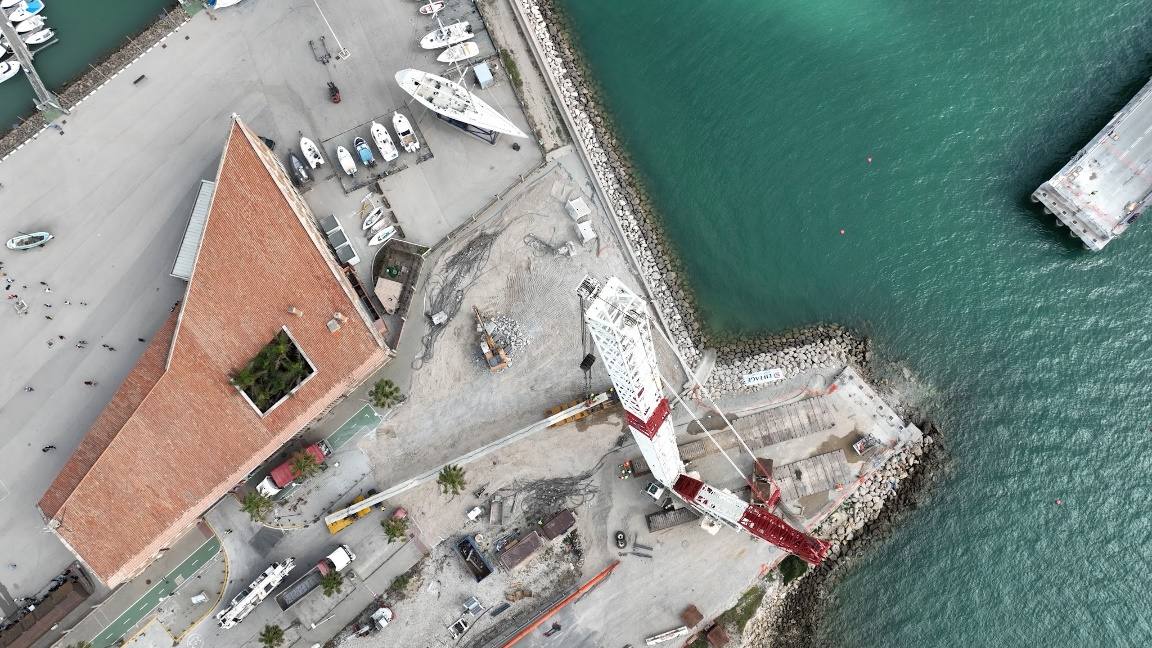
(790,617)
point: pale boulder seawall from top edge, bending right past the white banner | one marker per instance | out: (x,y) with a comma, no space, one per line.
(579,99)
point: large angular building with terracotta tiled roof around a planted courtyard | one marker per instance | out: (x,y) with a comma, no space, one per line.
(178,435)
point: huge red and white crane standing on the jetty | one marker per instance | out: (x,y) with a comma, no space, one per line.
(618,321)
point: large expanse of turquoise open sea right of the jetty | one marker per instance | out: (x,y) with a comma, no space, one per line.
(754,123)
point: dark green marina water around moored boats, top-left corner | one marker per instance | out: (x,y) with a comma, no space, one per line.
(87,32)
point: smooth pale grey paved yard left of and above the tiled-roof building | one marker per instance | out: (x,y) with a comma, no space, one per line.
(123,184)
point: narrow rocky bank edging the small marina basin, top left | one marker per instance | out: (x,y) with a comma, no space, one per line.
(96,78)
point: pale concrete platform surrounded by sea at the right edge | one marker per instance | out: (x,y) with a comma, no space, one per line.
(1108,185)
